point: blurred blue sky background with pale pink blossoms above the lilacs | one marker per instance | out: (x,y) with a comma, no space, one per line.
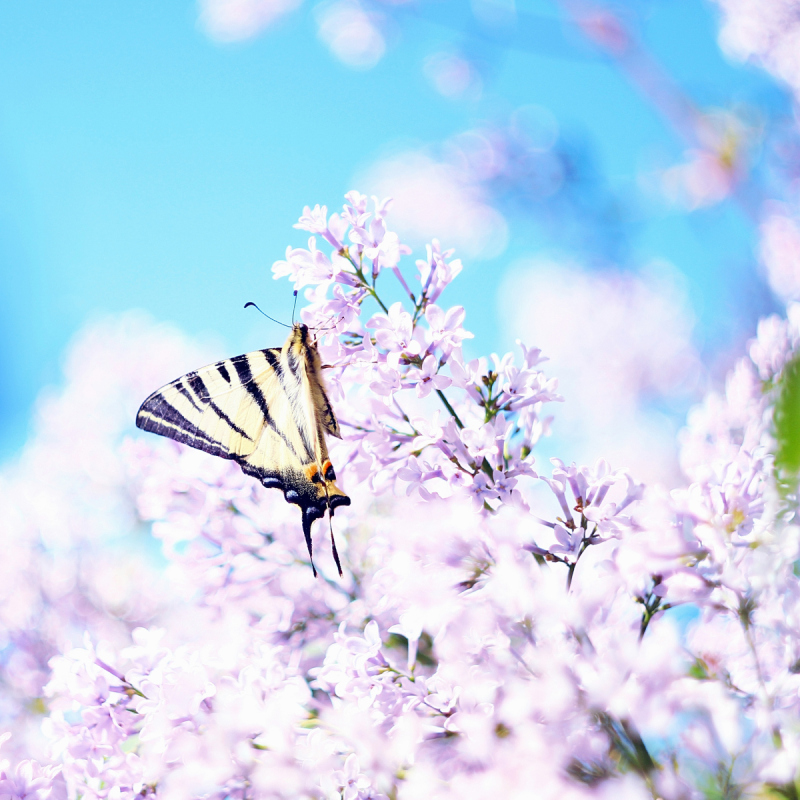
(620,180)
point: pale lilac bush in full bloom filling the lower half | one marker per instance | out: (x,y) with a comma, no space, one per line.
(504,627)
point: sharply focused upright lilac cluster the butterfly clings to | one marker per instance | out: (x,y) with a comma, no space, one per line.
(477,443)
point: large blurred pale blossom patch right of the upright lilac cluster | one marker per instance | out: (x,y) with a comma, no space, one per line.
(619,342)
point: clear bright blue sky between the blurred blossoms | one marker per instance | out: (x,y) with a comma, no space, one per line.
(144,166)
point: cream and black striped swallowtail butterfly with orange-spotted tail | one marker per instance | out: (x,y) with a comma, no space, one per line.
(266,410)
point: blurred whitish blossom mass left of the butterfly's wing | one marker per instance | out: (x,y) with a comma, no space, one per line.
(67,513)
